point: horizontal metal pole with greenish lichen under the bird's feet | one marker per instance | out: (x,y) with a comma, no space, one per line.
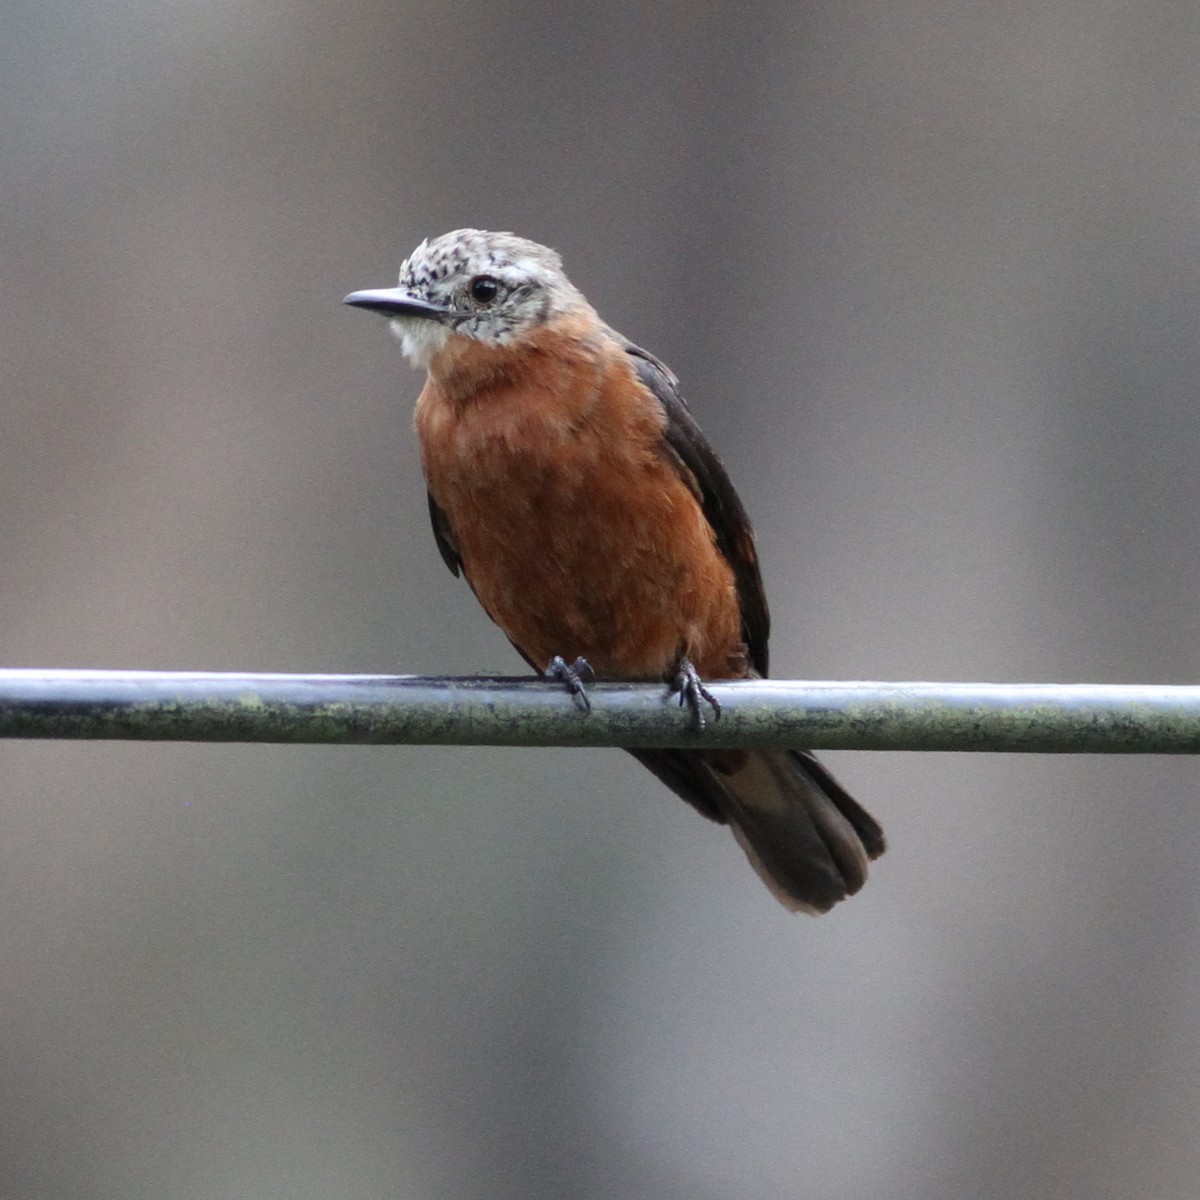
(477,711)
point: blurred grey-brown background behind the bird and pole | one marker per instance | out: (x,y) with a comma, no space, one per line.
(931,278)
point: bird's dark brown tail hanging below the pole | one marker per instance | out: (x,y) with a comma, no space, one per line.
(805,835)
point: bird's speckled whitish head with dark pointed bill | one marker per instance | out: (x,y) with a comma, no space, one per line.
(491,287)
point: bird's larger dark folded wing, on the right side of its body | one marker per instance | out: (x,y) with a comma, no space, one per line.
(705,475)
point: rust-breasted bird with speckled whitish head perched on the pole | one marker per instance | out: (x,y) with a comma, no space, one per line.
(571,485)
